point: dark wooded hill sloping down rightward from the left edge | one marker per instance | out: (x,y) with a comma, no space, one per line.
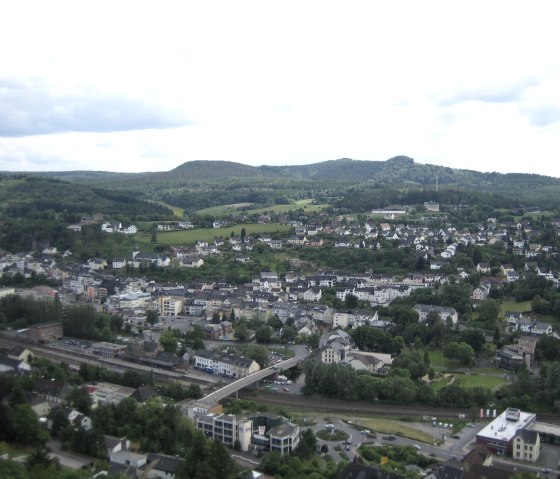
(26,196)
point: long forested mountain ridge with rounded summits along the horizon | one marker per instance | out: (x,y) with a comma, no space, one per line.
(197,184)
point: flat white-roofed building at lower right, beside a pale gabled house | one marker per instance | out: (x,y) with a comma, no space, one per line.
(499,435)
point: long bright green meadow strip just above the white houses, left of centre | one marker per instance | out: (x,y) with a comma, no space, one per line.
(208,234)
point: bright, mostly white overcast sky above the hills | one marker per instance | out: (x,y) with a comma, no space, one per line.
(135,86)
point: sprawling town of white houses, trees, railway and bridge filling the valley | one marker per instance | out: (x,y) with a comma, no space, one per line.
(461,332)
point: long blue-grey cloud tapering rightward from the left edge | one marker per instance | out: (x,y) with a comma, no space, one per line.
(30,107)
